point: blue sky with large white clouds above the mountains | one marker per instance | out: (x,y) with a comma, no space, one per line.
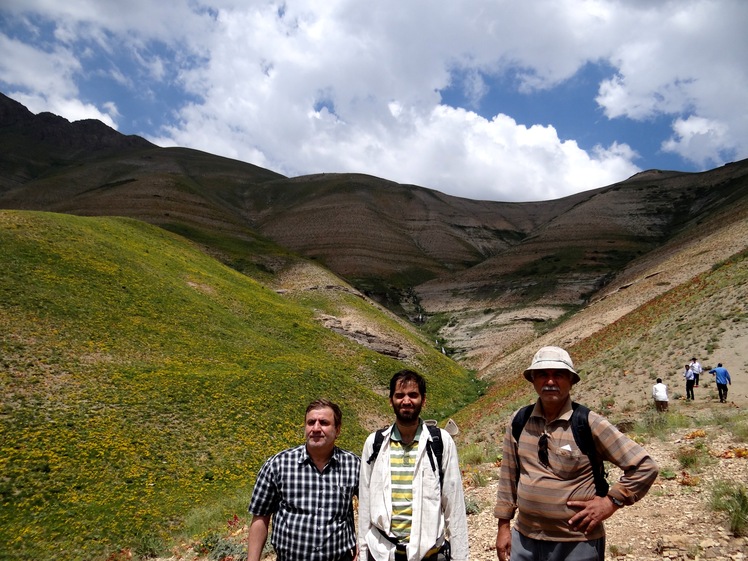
(487,99)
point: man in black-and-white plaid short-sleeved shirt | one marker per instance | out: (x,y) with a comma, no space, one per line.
(308,491)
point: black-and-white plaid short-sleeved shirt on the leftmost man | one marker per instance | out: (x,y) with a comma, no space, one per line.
(313,511)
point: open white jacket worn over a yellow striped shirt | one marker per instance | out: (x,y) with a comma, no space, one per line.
(434,510)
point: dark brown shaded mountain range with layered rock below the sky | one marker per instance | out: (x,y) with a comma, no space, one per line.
(489,274)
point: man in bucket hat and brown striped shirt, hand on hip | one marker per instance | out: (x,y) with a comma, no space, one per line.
(552,471)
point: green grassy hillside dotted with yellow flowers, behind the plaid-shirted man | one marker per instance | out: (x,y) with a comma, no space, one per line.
(142,384)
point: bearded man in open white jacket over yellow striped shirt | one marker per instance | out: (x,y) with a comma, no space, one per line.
(411,502)
